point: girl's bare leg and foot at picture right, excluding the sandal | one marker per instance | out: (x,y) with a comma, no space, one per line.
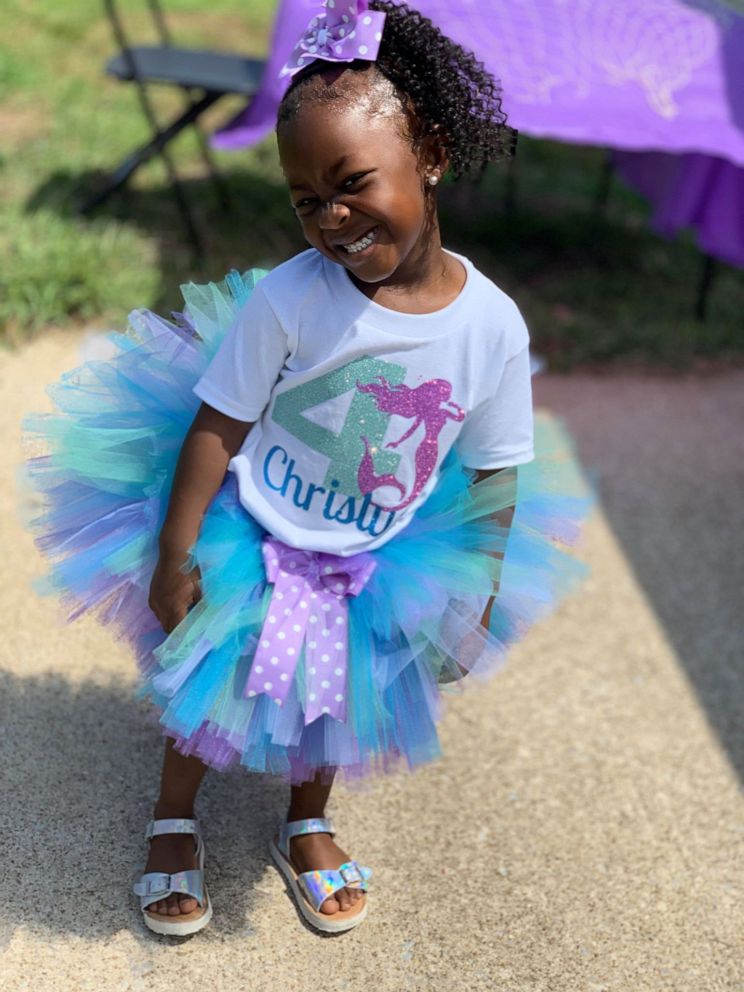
(316,852)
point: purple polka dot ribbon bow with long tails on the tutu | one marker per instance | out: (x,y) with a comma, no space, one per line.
(308,608)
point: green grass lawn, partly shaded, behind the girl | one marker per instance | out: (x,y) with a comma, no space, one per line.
(595,289)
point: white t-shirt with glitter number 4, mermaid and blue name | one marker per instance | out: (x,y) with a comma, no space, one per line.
(357,405)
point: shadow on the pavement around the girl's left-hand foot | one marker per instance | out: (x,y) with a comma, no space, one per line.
(73,831)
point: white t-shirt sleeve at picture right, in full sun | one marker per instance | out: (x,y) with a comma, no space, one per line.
(499,431)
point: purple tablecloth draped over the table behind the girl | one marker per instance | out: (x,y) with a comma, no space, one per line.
(634,75)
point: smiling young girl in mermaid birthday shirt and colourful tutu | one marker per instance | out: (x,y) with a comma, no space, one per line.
(326,551)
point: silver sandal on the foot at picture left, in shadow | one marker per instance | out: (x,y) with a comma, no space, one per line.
(156,885)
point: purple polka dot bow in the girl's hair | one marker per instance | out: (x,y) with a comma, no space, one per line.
(347,30)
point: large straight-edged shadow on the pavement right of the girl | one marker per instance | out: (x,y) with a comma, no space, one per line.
(670,485)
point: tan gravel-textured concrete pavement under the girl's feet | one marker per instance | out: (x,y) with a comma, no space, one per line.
(584,831)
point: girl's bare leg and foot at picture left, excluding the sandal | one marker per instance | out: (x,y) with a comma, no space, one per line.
(179,784)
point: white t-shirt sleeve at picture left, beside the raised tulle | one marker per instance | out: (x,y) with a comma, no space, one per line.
(239,379)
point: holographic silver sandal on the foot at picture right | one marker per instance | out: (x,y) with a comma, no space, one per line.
(311,888)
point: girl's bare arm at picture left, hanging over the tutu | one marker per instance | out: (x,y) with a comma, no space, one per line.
(210,443)
